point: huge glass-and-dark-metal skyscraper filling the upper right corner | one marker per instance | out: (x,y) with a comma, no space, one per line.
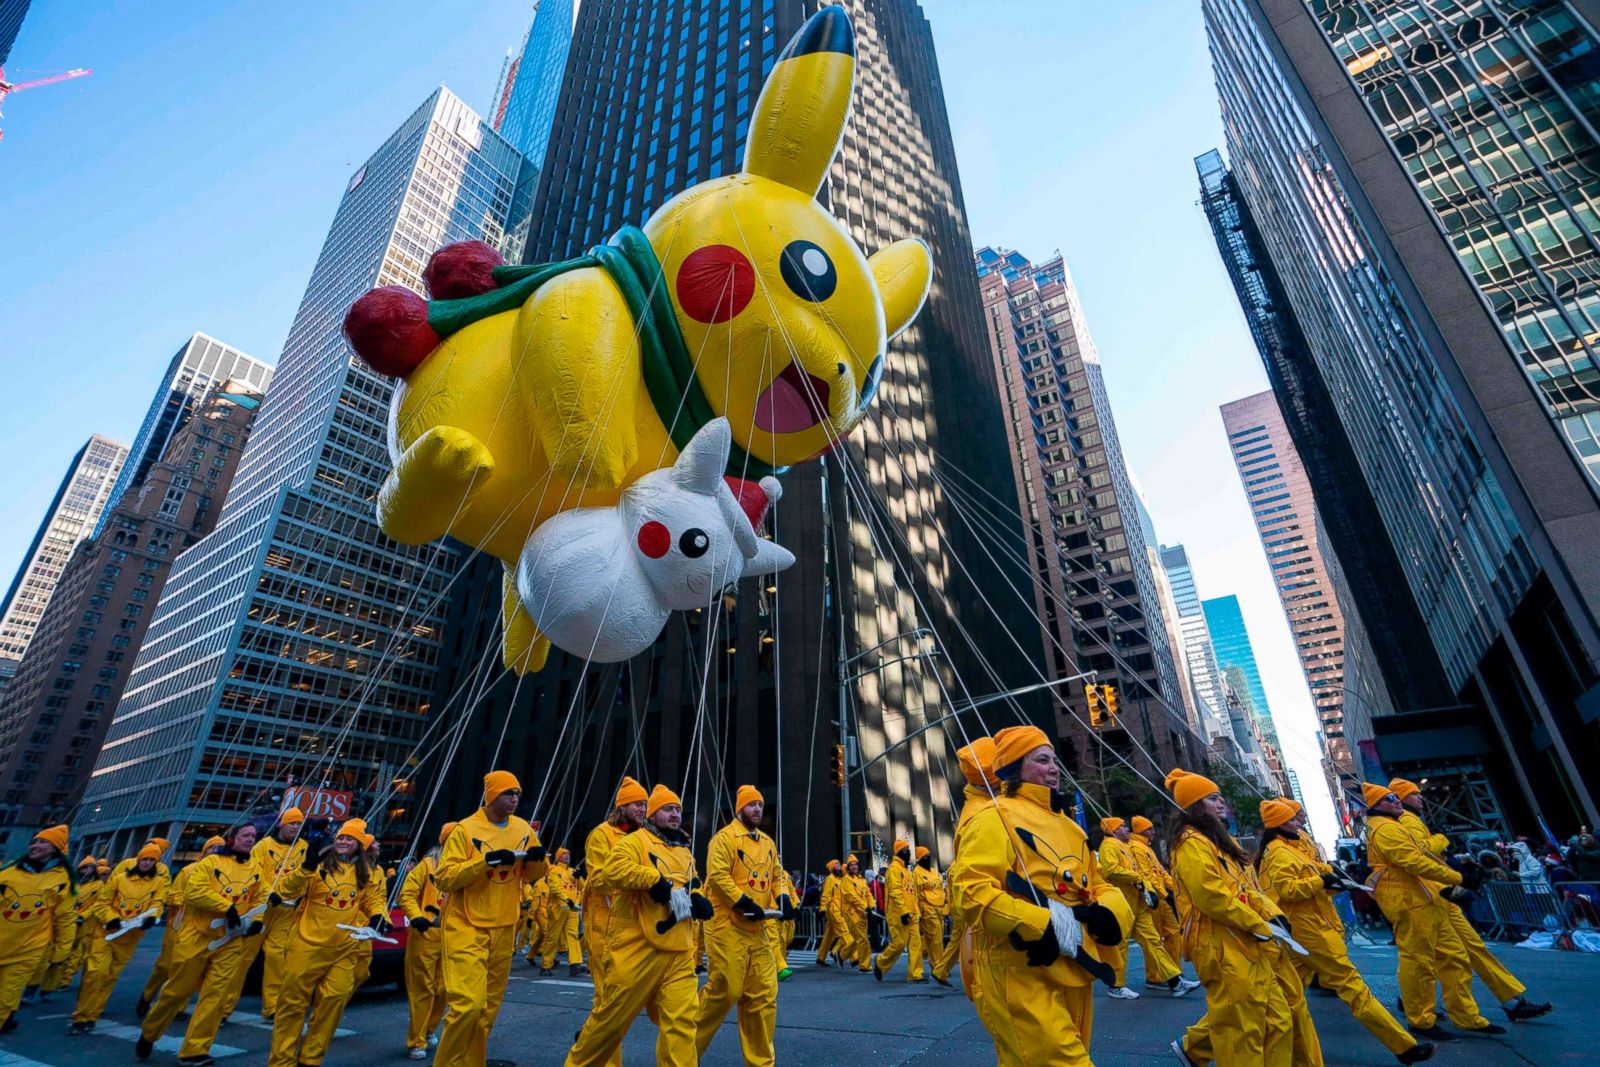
(1420,180)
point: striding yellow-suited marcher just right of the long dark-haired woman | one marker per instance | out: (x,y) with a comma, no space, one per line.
(1302,887)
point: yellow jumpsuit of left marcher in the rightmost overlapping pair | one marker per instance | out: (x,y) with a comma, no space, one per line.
(1406,884)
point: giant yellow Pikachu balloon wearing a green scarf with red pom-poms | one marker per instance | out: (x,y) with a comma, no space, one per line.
(530,391)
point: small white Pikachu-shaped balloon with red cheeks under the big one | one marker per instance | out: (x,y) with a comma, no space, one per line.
(602,581)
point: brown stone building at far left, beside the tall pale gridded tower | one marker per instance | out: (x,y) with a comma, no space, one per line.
(55,716)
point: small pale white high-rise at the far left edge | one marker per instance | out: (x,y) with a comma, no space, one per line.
(71,518)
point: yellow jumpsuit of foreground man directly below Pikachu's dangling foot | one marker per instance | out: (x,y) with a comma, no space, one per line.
(481,930)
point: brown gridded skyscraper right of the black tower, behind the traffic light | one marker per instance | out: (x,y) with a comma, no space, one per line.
(1095,591)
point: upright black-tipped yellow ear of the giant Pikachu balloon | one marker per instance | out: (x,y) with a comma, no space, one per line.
(801,118)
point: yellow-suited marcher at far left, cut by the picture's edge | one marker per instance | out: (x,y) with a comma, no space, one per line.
(36,906)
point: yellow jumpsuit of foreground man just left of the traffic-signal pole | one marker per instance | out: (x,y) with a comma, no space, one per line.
(740,863)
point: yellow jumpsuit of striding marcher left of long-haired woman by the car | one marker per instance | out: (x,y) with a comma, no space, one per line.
(215,884)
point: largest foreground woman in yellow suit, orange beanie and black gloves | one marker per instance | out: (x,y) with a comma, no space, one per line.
(1025,879)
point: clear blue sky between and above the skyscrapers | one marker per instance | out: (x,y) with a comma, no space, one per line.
(188,186)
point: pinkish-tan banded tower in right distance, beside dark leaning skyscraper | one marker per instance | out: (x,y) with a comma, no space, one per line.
(1289,522)
